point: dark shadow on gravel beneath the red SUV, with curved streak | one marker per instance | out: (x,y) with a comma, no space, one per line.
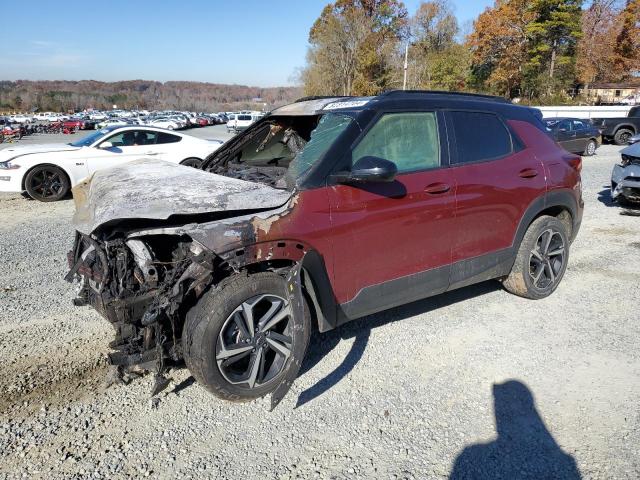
(360,330)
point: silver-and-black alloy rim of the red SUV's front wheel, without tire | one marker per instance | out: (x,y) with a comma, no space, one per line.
(255,341)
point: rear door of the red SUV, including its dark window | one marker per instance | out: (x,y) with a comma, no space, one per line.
(497,178)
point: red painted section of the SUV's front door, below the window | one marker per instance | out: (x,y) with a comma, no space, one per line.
(386,231)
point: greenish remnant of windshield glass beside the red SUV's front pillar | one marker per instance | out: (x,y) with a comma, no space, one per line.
(329,128)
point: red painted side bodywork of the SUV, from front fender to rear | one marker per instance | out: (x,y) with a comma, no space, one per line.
(370,235)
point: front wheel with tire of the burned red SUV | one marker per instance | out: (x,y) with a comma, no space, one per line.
(210,325)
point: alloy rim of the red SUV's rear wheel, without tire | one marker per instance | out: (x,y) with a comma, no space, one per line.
(547,259)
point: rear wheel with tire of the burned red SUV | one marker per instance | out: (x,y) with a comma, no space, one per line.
(536,274)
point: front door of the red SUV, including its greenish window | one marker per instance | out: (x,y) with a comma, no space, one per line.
(392,241)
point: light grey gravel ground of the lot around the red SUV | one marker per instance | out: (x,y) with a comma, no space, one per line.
(435,389)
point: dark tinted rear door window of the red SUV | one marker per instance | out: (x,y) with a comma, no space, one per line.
(480,137)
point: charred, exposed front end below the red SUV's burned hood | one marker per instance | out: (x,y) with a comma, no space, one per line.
(142,286)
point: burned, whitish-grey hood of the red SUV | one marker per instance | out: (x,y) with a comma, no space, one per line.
(150,189)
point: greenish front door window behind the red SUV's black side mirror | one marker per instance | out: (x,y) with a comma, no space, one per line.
(410,140)
